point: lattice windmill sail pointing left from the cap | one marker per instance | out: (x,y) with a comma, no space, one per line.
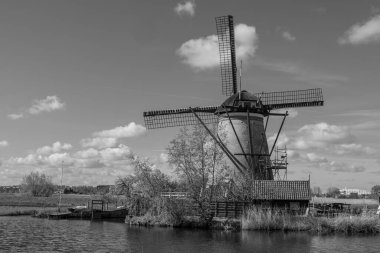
(179,117)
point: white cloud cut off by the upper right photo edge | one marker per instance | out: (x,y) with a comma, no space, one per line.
(362,33)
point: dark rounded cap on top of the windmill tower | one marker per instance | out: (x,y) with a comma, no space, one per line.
(240,102)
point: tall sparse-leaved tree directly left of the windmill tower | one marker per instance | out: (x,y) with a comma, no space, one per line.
(200,164)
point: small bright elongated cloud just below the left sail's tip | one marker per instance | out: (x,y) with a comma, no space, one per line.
(130,130)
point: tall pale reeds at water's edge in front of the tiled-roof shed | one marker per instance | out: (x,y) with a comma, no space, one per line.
(257,219)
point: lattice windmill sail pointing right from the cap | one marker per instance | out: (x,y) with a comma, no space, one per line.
(290,99)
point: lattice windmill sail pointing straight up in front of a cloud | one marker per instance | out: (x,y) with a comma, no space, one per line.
(226,39)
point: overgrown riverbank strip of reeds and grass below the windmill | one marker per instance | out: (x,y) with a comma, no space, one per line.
(267,221)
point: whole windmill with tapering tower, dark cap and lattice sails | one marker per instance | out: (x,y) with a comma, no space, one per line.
(241,116)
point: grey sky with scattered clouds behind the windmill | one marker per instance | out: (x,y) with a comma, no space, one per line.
(76,77)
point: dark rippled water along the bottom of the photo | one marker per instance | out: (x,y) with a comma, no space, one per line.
(26,234)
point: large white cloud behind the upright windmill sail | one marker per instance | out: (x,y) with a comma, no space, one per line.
(203,53)
